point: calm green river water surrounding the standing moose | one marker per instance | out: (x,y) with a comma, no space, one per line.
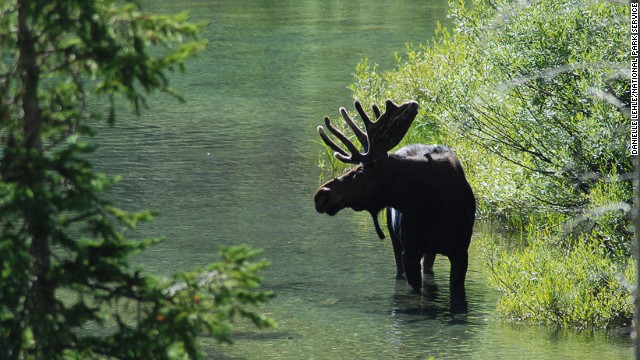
(238,164)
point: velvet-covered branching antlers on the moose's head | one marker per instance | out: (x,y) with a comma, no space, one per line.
(378,138)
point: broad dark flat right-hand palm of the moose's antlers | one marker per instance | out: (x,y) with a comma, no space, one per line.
(391,126)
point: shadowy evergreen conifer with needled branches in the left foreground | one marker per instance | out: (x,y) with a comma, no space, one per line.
(66,287)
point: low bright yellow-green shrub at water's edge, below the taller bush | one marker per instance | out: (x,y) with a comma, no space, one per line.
(550,281)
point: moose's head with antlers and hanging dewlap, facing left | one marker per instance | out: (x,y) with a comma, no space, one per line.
(360,187)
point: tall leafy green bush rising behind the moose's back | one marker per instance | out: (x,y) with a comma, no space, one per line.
(520,84)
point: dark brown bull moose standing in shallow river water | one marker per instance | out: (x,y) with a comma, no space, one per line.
(430,205)
